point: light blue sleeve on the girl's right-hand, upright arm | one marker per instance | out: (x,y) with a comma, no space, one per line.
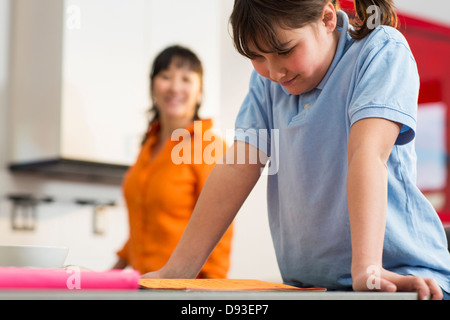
(387,86)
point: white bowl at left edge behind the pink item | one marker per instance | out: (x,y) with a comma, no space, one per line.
(32,256)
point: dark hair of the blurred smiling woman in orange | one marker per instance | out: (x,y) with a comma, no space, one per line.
(182,57)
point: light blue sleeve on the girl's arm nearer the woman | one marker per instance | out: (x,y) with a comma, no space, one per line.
(254,118)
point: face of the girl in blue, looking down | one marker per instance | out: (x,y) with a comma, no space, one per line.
(302,66)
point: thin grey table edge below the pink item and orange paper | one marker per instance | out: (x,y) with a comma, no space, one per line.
(144,294)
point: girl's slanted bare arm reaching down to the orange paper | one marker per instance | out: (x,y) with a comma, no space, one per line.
(224,192)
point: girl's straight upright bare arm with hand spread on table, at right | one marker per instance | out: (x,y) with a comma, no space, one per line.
(370,144)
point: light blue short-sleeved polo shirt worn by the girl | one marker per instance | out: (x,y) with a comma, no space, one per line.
(307,136)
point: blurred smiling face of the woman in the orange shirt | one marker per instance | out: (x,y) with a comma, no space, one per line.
(176,92)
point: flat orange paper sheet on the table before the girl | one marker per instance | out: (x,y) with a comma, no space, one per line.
(218,285)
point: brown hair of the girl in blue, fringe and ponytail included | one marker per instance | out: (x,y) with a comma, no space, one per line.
(254,22)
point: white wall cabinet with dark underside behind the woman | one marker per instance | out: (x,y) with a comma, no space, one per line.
(79,78)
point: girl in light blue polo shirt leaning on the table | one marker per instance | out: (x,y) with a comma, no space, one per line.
(332,109)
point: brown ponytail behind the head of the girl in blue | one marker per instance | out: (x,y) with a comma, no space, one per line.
(371,14)
